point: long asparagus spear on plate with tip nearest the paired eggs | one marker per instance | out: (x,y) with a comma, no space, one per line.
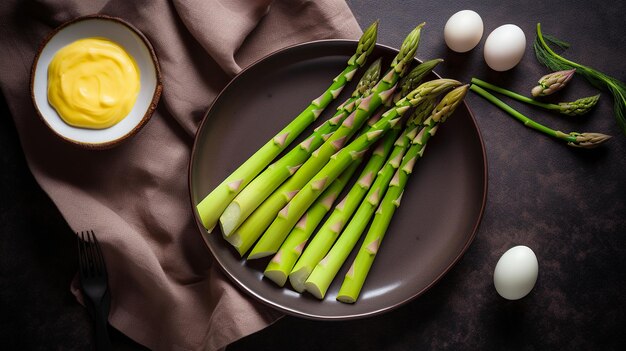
(249,231)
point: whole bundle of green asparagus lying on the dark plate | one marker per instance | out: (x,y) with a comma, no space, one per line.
(277,208)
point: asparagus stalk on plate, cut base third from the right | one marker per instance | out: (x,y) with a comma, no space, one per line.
(340,216)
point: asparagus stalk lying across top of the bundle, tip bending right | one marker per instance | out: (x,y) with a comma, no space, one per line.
(288,216)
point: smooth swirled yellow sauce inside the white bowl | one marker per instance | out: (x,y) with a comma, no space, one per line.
(93,83)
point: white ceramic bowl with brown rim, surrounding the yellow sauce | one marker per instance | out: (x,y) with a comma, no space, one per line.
(135,43)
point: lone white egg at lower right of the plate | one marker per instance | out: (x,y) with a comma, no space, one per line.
(516,273)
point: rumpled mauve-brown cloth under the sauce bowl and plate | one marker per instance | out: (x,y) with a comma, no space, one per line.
(167,294)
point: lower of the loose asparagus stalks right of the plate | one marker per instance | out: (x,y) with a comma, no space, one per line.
(575,139)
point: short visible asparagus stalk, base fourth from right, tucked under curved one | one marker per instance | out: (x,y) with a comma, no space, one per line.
(280,265)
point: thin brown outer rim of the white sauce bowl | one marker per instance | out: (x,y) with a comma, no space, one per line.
(155,96)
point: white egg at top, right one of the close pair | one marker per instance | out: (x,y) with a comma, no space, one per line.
(504,47)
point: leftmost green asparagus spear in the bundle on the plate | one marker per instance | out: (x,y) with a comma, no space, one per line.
(212,206)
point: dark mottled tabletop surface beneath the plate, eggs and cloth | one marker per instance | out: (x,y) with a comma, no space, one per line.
(568,205)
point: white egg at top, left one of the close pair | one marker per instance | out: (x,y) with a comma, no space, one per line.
(463,31)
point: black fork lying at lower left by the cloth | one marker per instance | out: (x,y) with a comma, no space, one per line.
(94,285)
